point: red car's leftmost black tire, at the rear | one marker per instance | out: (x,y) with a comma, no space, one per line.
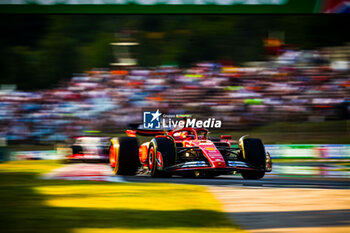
(126,154)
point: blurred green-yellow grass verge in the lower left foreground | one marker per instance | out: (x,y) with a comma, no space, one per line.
(29,204)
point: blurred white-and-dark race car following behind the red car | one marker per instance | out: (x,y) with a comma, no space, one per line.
(88,148)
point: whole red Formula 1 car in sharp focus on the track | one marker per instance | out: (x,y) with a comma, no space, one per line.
(188,152)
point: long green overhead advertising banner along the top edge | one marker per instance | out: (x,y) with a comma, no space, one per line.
(160,6)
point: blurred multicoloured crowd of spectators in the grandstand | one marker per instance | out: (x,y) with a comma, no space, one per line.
(296,86)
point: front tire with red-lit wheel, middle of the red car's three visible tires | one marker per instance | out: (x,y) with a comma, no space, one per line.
(166,158)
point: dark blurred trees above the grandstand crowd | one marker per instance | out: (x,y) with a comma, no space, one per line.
(38,51)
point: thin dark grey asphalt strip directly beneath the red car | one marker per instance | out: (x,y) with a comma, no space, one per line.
(267,181)
